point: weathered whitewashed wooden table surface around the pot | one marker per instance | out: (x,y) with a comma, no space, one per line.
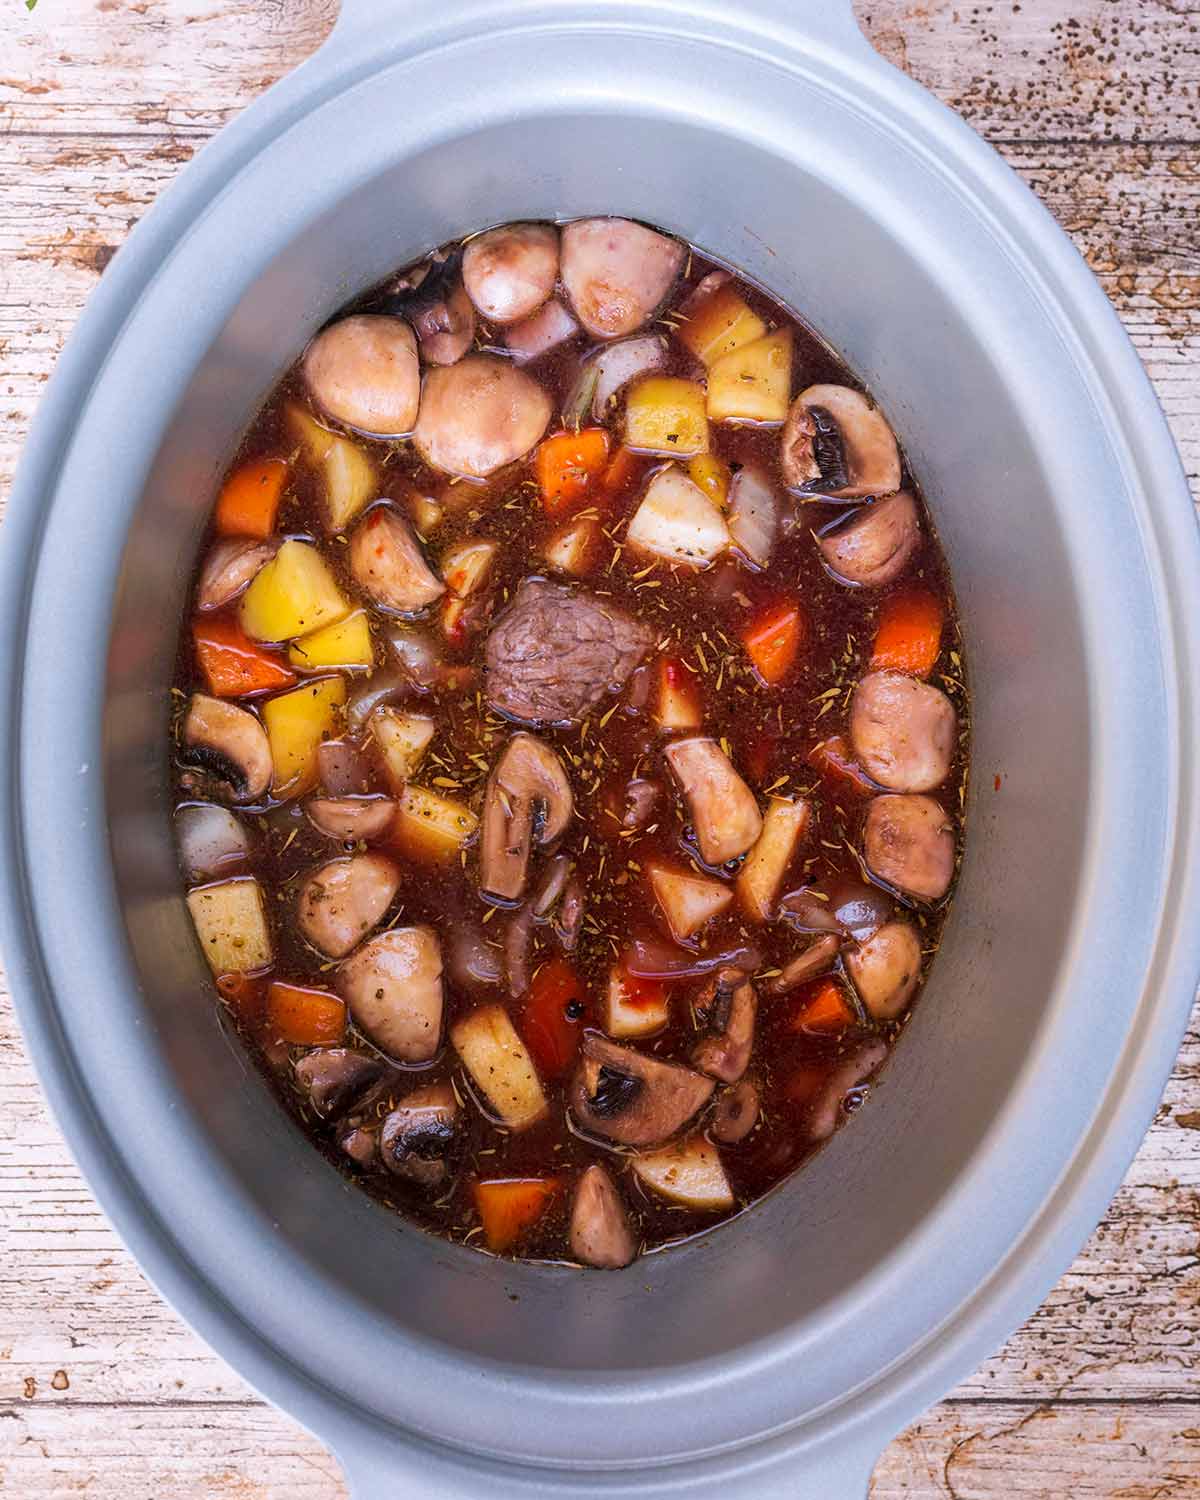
(103,1390)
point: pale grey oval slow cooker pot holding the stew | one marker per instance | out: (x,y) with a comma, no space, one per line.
(779,1355)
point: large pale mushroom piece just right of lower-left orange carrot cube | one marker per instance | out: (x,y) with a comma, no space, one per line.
(394,989)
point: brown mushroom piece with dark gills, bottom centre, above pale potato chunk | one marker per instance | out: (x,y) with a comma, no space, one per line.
(631,1099)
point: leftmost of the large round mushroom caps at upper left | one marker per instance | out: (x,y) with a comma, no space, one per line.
(364,371)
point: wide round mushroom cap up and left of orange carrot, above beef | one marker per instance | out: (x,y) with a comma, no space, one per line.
(479,415)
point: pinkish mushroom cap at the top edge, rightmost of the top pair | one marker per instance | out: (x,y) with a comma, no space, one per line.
(617,274)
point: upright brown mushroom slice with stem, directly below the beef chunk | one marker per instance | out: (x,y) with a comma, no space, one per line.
(529,800)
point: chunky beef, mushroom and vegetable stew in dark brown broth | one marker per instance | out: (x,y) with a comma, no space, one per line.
(571,742)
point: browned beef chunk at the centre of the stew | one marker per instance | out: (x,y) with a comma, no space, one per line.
(556,652)
